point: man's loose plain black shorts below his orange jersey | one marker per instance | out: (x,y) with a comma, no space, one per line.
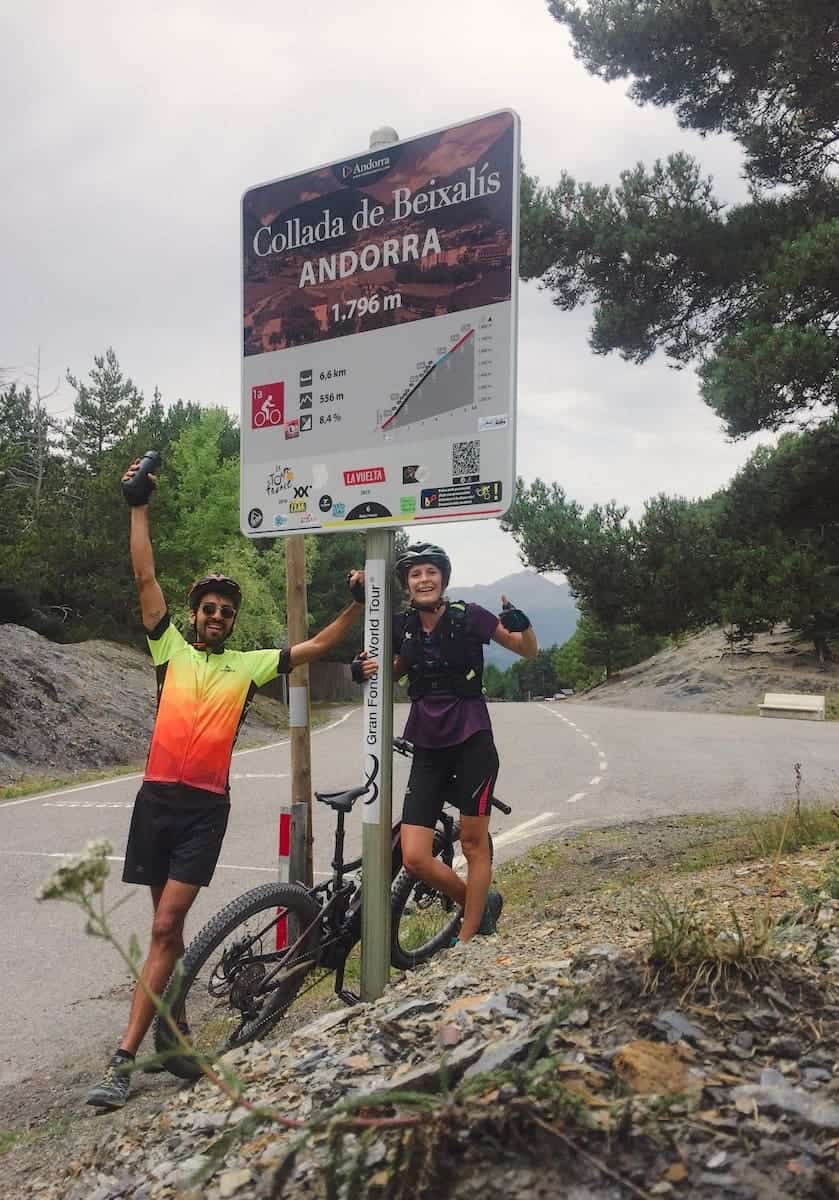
(173,839)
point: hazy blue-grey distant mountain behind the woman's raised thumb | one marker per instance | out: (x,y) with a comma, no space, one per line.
(550,608)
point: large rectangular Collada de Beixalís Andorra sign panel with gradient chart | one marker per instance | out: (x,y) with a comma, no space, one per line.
(380,326)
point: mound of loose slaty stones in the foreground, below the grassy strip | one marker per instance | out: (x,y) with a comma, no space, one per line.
(547,1084)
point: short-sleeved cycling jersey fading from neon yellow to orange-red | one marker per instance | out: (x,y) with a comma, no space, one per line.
(202,700)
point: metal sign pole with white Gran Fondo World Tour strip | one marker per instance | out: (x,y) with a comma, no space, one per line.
(379,735)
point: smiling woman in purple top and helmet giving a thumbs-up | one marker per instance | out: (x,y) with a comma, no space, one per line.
(439,646)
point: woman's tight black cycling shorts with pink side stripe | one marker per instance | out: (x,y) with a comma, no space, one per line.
(464,776)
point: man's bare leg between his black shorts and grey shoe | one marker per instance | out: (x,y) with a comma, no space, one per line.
(172,903)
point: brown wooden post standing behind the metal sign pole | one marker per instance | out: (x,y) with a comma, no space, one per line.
(299,705)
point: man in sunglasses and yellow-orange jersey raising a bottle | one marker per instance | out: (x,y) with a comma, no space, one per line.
(182,809)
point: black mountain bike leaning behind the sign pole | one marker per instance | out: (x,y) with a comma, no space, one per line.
(241,974)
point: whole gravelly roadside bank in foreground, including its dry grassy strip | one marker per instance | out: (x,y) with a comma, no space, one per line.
(556,1060)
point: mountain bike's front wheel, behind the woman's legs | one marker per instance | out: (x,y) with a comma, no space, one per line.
(424,921)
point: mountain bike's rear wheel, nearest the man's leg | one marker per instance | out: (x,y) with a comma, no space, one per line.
(224,967)
